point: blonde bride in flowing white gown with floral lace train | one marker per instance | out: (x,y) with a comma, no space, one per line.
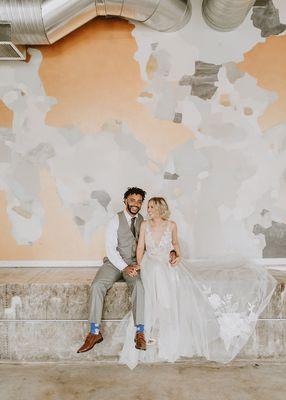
(203,309)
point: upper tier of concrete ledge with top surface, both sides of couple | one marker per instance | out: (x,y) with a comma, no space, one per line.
(63,294)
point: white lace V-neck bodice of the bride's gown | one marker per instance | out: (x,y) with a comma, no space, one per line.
(164,246)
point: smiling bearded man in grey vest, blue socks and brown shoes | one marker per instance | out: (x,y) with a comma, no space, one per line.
(121,241)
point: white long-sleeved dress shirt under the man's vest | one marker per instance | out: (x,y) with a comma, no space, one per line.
(111,241)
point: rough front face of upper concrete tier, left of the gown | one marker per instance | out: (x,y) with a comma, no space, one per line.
(58,301)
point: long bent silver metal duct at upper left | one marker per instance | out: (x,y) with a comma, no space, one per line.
(46,21)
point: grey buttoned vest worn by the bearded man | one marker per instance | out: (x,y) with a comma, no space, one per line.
(126,242)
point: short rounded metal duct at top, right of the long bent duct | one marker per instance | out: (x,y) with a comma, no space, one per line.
(225,15)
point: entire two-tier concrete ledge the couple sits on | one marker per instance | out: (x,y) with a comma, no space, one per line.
(43,315)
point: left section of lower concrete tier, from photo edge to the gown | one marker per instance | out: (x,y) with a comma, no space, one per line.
(53,341)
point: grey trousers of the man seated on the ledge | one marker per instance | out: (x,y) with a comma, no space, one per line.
(104,279)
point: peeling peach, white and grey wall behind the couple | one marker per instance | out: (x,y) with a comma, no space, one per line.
(197,116)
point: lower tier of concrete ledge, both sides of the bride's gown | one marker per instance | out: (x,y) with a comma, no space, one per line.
(59,341)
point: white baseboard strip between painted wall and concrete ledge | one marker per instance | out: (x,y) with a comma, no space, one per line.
(271,263)
